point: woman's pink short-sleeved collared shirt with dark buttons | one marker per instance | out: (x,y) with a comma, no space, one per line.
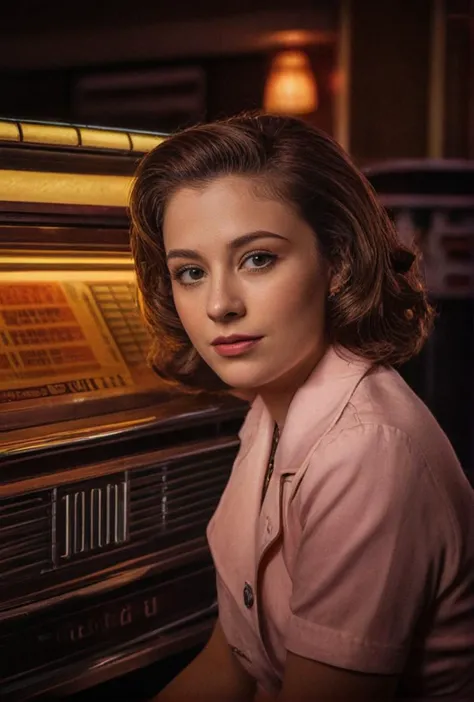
(362,555)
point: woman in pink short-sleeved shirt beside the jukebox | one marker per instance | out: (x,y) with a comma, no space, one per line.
(344,540)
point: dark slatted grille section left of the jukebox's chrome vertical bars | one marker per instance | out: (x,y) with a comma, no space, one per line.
(25,527)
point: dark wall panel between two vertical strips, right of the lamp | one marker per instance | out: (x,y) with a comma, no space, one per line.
(390,93)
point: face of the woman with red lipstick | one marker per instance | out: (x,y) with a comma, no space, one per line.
(247,267)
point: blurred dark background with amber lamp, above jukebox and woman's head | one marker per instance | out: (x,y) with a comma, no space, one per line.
(388,79)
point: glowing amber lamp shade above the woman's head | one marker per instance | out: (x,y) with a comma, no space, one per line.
(291,86)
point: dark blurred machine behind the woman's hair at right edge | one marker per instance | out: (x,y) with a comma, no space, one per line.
(432,204)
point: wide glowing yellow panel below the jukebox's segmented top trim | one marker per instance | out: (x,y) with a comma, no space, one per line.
(64,188)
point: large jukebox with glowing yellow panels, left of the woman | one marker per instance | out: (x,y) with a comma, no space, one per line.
(107,478)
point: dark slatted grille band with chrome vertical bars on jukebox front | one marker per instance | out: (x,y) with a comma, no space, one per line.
(167,502)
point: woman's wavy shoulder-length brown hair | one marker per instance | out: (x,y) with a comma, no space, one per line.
(380,309)
